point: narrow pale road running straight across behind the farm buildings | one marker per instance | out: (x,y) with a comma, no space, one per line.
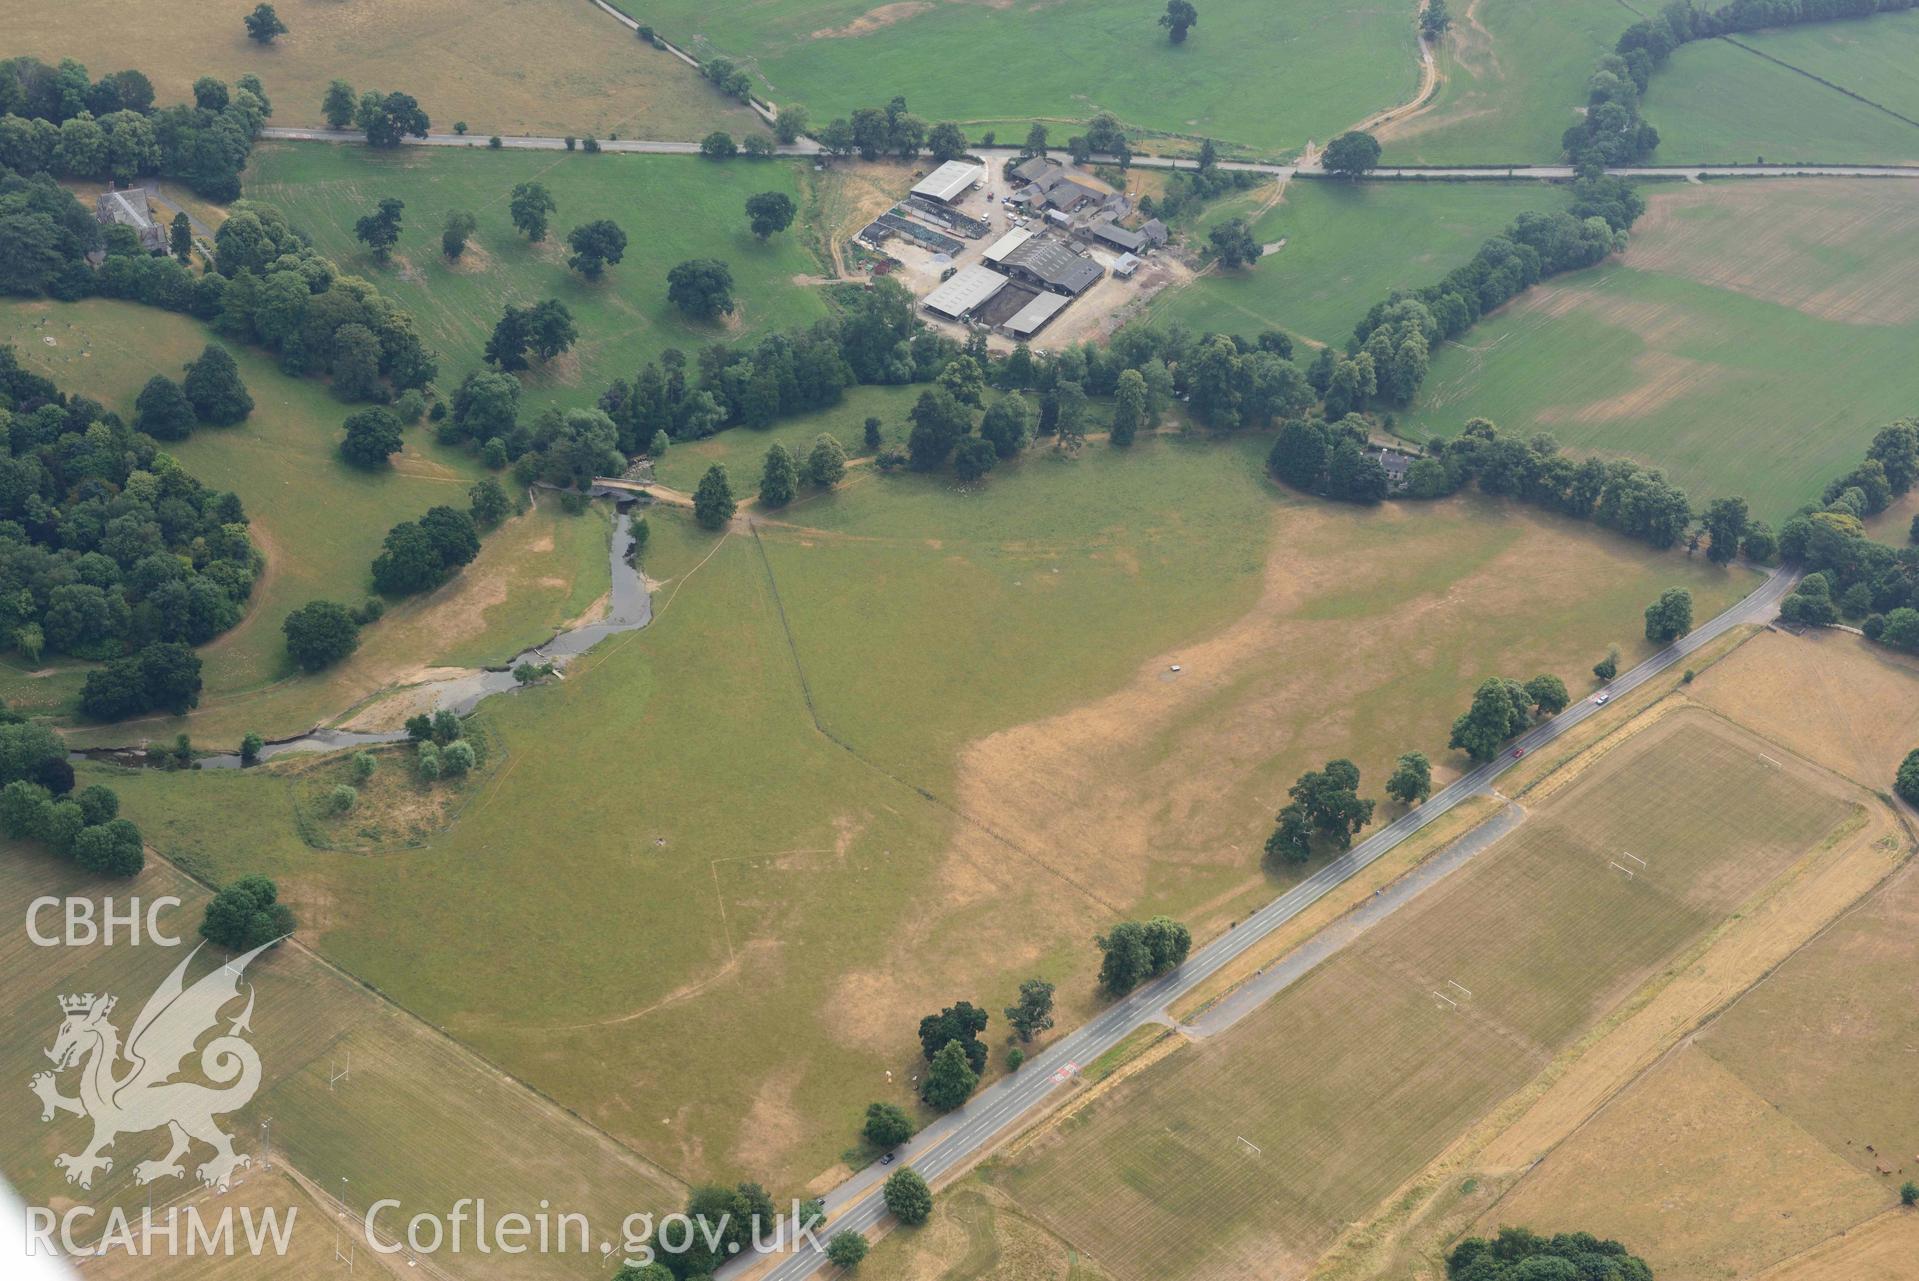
(807,147)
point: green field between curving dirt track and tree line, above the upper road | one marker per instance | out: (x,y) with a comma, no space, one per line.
(1515,78)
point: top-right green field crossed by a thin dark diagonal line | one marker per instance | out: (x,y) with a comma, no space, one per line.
(1720,103)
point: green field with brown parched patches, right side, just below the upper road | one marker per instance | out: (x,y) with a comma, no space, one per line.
(1751,342)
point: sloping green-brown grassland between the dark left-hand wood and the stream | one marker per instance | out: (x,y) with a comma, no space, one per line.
(320,523)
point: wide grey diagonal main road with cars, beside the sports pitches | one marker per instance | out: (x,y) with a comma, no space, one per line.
(1010,1102)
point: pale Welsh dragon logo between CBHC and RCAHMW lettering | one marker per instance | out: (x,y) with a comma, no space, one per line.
(133,1088)
